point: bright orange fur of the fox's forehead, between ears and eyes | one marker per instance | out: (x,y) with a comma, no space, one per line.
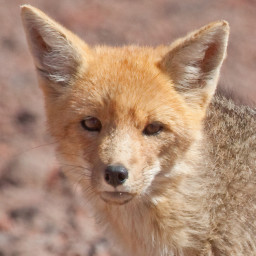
(122,82)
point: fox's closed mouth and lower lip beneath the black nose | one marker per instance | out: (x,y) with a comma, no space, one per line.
(116,197)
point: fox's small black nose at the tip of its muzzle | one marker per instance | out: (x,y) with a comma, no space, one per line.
(115,175)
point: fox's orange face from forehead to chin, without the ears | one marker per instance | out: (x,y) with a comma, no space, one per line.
(124,132)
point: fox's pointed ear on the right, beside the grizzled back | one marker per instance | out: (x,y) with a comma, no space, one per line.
(193,63)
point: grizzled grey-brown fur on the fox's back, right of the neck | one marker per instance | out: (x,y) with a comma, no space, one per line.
(230,130)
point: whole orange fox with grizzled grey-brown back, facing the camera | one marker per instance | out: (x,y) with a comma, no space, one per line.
(165,158)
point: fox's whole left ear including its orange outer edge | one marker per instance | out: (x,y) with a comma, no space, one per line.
(56,51)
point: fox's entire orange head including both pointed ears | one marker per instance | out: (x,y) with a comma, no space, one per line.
(124,117)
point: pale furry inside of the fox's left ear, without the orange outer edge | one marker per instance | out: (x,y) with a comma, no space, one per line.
(54,55)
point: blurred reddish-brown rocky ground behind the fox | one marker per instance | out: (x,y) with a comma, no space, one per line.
(40,213)
